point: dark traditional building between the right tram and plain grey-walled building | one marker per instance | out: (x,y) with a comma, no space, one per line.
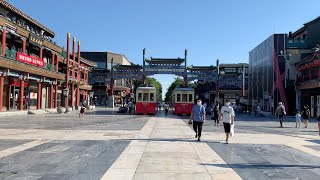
(230,86)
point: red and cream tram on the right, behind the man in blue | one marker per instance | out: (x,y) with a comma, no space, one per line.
(183,99)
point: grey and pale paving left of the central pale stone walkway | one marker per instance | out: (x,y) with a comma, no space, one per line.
(55,146)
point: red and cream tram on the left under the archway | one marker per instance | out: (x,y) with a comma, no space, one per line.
(146,100)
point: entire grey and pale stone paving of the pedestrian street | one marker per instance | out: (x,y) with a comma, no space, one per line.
(108,145)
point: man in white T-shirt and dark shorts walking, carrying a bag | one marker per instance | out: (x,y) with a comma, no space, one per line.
(228,115)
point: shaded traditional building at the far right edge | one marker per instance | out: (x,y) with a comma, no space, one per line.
(303,55)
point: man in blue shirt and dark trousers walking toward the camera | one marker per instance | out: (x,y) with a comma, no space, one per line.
(198,116)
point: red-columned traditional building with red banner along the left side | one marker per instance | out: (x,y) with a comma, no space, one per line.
(33,69)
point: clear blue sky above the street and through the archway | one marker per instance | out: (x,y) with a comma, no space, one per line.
(209,29)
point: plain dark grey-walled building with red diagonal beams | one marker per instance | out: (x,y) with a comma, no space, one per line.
(267,75)
